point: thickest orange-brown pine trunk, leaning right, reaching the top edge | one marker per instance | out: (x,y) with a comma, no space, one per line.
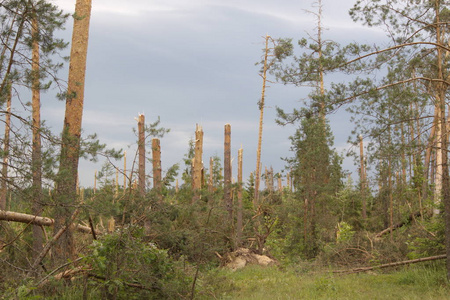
(68,170)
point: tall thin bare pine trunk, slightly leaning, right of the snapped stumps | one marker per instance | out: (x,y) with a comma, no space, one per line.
(261,118)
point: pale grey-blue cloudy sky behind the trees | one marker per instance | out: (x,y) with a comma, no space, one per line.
(192,62)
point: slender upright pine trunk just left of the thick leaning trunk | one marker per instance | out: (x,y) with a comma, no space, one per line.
(36,159)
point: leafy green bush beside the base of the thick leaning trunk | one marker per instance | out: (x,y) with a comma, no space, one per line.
(127,267)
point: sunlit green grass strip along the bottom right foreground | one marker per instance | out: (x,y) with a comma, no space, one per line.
(425,281)
